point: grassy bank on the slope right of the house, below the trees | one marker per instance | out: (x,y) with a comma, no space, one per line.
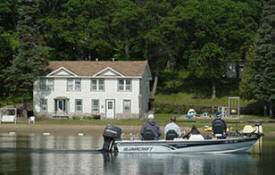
(191,99)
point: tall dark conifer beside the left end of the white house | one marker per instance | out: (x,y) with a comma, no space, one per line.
(30,60)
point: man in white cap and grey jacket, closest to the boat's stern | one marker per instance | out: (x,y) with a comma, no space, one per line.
(151,126)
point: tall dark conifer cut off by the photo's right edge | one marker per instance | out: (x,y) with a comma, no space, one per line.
(265,58)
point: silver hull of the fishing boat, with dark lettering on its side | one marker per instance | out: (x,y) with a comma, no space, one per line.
(186,146)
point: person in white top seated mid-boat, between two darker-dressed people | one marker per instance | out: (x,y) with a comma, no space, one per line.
(172,130)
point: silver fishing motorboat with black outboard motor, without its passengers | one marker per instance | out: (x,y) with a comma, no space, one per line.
(195,143)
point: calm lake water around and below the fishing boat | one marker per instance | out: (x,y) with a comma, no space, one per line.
(49,155)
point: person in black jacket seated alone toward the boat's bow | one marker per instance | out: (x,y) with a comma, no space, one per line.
(219,126)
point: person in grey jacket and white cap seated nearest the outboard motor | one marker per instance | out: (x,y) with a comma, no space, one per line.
(150,129)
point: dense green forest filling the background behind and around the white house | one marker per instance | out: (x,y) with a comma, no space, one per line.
(183,40)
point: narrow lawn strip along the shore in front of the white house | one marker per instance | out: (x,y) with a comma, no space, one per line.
(161,119)
